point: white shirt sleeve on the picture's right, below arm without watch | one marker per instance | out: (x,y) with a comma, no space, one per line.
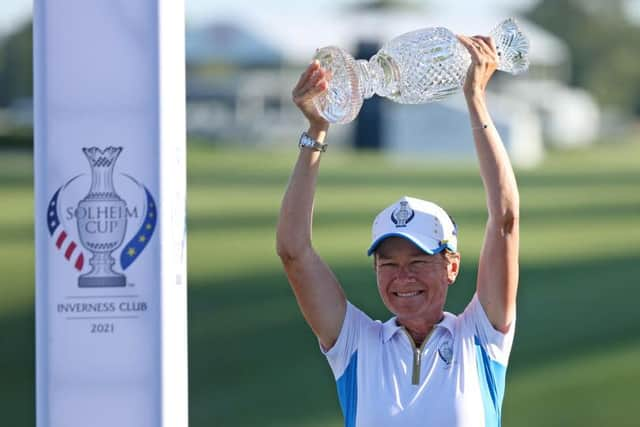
(496,344)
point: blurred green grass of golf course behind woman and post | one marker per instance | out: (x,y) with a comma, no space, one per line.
(253,361)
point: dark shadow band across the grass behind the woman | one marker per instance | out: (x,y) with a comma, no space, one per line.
(254,362)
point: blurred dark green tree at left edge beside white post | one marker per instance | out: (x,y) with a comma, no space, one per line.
(16,65)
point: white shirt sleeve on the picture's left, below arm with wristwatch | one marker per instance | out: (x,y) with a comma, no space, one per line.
(339,356)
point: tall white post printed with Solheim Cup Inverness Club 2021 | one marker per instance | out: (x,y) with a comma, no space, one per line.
(110,190)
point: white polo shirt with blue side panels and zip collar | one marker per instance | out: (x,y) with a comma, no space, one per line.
(456,379)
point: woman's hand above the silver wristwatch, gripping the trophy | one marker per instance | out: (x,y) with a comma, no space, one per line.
(313,82)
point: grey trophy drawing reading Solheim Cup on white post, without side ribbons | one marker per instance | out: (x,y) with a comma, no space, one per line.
(102,221)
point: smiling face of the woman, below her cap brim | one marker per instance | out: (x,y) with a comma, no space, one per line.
(412,283)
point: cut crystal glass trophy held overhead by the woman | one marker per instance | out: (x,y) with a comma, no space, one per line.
(417,67)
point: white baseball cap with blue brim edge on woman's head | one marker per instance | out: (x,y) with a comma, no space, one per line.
(425,224)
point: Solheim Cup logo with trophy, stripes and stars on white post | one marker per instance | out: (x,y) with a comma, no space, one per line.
(102,220)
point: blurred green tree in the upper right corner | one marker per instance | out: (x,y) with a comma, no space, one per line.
(603,45)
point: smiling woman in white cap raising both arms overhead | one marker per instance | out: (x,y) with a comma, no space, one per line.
(458,363)
